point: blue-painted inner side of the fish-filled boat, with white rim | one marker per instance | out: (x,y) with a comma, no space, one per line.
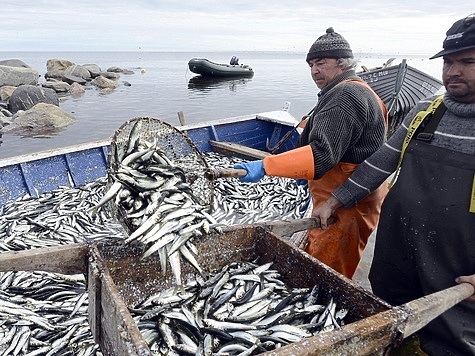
(77,165)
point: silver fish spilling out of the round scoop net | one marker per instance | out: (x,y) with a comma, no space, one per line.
(151,194)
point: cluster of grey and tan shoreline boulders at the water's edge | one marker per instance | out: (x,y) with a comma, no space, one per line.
(29,107)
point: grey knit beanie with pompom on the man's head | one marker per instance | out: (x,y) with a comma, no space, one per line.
(330,45)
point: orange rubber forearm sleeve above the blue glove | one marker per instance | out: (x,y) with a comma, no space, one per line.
(297,163)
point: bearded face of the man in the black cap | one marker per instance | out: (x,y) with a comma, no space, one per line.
(458,75)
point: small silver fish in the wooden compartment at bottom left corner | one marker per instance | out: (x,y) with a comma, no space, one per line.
(44,314)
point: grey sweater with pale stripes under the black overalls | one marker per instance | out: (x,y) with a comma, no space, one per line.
(456,131)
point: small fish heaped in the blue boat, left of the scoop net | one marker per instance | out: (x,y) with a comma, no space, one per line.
(57,218)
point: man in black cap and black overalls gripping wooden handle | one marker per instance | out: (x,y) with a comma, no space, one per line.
(426,234)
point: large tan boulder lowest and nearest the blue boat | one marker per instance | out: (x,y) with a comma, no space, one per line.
(41,119)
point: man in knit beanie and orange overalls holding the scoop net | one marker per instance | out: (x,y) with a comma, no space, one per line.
(346,126)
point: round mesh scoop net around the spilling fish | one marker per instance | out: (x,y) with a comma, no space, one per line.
(178,148)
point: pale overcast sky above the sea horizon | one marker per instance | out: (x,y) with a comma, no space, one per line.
(390,26)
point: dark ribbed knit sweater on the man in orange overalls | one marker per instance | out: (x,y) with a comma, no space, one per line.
(347,124)
